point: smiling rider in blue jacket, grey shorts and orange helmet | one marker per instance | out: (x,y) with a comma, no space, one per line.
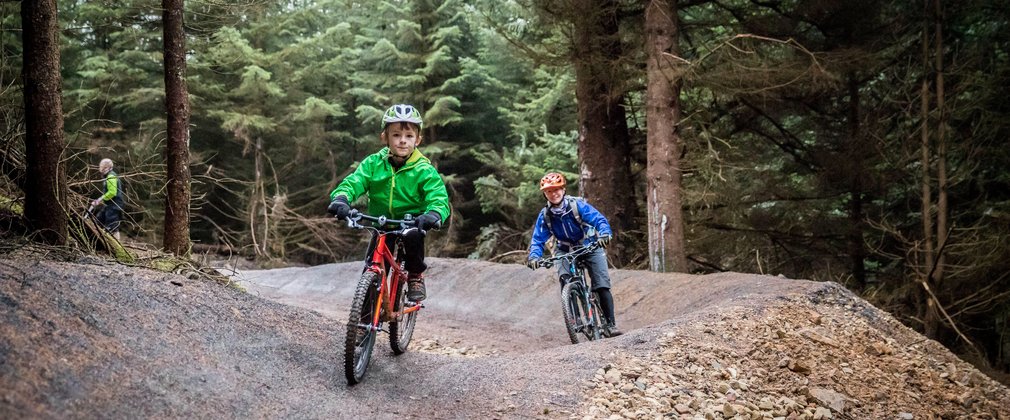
(566,219)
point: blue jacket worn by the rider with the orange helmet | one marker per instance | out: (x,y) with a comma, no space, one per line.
(567,230)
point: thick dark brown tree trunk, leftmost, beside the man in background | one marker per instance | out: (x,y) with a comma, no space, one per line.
(46,185)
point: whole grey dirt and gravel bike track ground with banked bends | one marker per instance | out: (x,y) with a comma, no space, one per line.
(92,340)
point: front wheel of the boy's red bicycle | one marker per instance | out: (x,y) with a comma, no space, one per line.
(361,334)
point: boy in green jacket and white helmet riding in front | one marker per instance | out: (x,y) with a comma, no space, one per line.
(399,180)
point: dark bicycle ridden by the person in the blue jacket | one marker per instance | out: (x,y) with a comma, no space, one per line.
(581,306)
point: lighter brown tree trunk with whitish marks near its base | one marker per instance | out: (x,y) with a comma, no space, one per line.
(663,114)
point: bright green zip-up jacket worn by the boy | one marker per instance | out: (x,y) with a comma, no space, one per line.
(416,188)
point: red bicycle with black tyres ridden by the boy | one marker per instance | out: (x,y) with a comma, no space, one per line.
(381,295)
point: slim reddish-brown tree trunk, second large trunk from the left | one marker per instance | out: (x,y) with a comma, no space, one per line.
(177,212)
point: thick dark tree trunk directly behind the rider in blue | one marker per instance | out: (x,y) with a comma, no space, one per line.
(604,149)
